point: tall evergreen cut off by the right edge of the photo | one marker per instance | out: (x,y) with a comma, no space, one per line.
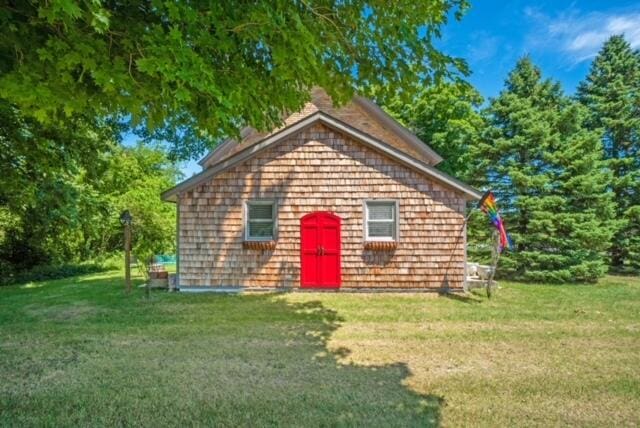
(611,92)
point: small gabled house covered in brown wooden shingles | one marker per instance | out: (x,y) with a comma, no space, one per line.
(336,198)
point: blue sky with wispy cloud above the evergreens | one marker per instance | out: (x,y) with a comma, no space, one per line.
(562,37)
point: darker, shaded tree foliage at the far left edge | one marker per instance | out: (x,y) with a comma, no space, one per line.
(42,196)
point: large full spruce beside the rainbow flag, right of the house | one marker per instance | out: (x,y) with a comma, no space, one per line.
(547,172)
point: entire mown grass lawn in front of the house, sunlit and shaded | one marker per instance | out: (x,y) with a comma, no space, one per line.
(80,352)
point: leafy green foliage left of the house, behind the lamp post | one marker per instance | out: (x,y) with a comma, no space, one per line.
(62,189)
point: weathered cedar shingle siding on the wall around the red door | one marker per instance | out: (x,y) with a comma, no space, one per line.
(321,170)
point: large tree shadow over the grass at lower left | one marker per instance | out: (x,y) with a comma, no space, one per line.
(224,360)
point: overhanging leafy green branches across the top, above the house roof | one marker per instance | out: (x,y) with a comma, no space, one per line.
(195,71)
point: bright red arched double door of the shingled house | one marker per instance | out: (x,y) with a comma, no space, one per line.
(320,250)
